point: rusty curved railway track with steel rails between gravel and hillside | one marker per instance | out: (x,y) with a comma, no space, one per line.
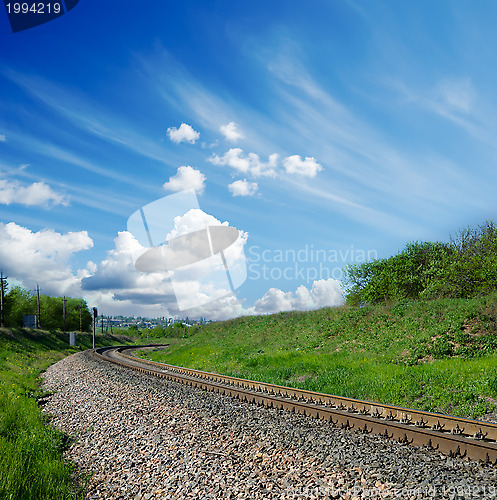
(453,436)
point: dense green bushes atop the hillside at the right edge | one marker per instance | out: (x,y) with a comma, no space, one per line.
(465,267)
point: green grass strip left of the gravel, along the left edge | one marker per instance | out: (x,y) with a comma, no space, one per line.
(32,465)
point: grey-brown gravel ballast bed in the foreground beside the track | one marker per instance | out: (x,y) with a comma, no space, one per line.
(148,438)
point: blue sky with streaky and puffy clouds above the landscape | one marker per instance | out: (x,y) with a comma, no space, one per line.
(334,127)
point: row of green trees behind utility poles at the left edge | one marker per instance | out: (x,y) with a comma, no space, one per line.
(18,302)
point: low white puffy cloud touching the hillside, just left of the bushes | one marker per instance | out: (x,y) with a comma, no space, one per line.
(322,293)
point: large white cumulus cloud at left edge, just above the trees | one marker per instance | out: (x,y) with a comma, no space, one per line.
(42,257)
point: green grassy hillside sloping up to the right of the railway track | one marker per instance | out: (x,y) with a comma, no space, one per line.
(438,355)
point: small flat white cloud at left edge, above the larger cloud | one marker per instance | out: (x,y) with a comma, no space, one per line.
(37,193)
